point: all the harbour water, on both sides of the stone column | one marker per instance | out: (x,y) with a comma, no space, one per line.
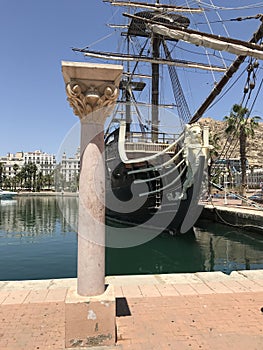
(38,240)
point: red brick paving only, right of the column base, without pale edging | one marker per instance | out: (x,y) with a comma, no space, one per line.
(226,321)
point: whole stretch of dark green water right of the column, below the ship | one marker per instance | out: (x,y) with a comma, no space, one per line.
(209,247)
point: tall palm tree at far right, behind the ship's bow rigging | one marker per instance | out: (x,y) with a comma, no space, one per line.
(240,125)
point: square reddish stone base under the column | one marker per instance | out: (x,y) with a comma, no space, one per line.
(90,321)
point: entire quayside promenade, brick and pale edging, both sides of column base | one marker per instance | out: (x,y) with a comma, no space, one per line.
(174,311)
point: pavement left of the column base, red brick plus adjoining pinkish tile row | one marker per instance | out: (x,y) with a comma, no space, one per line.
(32,319)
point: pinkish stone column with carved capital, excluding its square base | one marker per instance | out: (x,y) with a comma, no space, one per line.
(92,90)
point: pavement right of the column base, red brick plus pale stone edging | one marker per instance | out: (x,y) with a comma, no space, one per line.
(191,311)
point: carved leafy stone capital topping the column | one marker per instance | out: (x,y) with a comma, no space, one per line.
(92,90)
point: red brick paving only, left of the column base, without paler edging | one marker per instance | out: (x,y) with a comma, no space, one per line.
(32,326)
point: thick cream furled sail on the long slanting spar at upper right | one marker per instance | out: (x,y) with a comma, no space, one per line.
(203,40)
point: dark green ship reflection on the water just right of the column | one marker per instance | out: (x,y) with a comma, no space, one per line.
(163,254)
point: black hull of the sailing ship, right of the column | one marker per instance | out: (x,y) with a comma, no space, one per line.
(150,200)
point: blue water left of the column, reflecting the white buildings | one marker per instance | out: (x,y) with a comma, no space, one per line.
(36,241)
